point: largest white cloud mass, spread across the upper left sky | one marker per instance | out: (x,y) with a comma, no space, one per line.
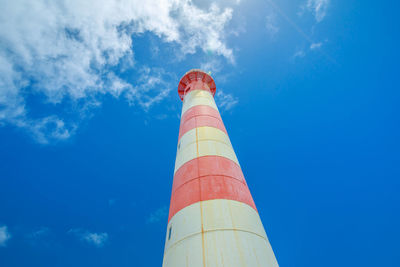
(68,50)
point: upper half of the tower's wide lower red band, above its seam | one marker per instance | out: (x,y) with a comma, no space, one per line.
(206,166)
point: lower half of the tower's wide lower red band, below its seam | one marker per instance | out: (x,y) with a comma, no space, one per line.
(208,188)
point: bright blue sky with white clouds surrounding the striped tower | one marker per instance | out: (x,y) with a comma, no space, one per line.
(89,118)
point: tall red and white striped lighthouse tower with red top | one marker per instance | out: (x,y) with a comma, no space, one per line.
(212,218)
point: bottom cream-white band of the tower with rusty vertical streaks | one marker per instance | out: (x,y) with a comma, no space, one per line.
(230,232)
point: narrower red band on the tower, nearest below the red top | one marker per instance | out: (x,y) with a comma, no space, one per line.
(199,116)
